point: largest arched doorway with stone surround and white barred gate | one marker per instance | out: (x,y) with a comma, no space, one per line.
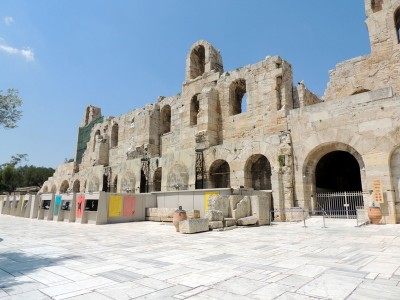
(333,173)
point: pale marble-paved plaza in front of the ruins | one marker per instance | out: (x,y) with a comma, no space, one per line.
(148,260)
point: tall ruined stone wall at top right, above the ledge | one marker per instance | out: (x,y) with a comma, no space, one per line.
(379,69)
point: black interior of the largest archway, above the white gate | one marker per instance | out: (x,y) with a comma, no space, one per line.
(338,171)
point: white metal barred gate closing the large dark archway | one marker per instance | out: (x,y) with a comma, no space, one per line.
(340,204)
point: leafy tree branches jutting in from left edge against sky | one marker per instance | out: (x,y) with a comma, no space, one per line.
(9,108)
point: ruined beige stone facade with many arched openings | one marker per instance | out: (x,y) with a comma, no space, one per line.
(254,128)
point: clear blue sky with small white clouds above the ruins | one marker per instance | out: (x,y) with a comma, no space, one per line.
(119,55)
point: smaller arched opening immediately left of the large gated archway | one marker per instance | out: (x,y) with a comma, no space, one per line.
(258,173)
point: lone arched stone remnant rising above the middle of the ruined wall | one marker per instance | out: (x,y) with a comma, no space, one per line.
(202,59)
